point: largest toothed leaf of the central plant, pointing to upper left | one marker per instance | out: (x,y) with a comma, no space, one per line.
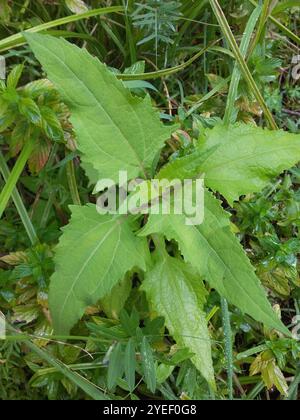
(115,130)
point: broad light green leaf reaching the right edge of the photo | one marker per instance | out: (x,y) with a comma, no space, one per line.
(239,159)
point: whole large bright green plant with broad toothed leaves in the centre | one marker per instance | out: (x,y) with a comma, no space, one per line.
(117,131)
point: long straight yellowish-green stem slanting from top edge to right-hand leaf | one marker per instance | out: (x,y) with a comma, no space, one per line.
(241,61)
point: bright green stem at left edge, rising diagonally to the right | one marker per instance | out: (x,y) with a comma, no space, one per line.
(15,175)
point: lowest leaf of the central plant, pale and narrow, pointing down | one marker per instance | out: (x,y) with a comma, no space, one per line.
(176,292)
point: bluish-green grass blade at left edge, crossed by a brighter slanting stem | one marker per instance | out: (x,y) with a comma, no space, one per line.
(19,203)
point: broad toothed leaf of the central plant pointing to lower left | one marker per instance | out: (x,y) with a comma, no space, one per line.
(93,255)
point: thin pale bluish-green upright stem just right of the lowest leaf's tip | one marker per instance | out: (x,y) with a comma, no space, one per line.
(228,345)
